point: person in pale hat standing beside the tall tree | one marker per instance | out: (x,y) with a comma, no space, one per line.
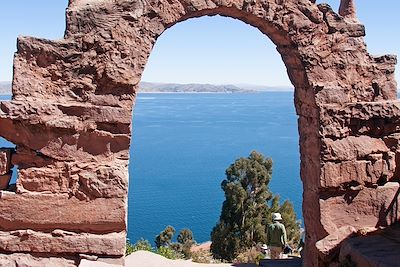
(276,236)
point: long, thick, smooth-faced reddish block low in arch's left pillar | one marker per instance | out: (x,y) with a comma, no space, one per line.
(47,212)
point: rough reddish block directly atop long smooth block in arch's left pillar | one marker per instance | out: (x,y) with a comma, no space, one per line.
(81,181)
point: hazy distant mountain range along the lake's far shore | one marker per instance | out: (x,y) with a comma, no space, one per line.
(147,87)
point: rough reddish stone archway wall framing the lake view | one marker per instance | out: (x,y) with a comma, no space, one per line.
(70,117)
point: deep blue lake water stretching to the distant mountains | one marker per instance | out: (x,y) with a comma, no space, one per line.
(182,144)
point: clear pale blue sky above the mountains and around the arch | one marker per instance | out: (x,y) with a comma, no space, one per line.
(204,50)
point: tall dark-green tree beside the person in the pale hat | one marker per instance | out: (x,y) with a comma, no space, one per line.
(247,208)
